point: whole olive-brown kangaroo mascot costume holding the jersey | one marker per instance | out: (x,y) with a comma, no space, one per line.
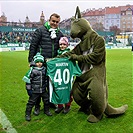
(90,90)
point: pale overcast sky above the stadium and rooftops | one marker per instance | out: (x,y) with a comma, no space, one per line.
(18,10)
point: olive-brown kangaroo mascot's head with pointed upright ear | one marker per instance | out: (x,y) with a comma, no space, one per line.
(79,25)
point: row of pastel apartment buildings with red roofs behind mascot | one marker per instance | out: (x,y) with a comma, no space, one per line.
(121,16)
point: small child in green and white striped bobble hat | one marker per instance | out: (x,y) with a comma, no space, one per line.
(38,86)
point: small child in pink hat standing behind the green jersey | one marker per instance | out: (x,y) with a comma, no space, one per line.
(63,47)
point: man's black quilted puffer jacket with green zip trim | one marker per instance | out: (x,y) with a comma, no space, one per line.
(41,40)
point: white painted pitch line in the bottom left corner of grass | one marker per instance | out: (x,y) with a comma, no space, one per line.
(7,126)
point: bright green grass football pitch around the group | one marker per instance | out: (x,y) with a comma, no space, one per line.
(13,98)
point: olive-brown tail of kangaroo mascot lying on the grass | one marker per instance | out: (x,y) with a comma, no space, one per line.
(111,111)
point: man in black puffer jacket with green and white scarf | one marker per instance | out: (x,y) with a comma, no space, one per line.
(46,41)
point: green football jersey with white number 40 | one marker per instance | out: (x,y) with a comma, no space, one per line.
(61,72)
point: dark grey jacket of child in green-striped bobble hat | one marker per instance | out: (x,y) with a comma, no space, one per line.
(37,78)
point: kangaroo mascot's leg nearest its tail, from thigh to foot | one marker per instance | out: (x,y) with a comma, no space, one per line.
(98,96)
